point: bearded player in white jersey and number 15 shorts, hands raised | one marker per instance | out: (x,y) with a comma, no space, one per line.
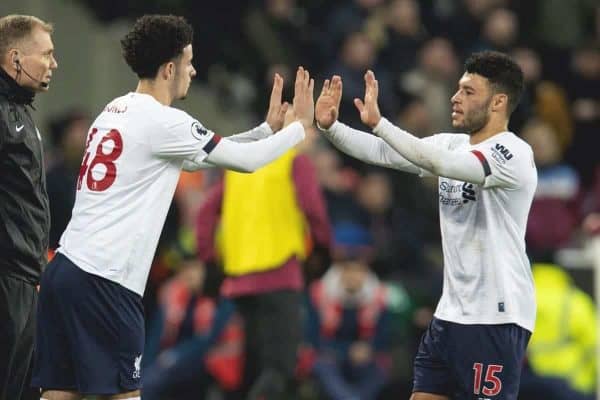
(474,346)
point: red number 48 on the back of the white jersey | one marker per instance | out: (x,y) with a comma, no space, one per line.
(100,158)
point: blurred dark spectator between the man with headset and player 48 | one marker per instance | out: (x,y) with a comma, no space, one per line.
(68,132)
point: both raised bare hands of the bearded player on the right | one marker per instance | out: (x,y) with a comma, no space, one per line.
(328,103)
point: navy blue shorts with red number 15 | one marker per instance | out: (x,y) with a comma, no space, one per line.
(470,362)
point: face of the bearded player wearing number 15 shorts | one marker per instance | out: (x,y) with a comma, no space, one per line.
(471,103)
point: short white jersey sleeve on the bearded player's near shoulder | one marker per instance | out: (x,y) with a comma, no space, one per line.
(505,164)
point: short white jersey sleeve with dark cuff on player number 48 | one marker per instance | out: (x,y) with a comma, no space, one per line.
(182,137)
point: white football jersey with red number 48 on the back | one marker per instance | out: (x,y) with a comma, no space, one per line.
(134,153)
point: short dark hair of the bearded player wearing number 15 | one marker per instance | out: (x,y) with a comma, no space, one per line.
(502,72)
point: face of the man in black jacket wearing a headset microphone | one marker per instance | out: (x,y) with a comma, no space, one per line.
(37,58)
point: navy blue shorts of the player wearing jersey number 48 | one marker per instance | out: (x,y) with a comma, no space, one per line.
(90,332)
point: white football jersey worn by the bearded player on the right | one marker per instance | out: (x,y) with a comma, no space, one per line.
(487,275)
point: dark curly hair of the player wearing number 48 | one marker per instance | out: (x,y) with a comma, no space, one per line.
(155,40)
